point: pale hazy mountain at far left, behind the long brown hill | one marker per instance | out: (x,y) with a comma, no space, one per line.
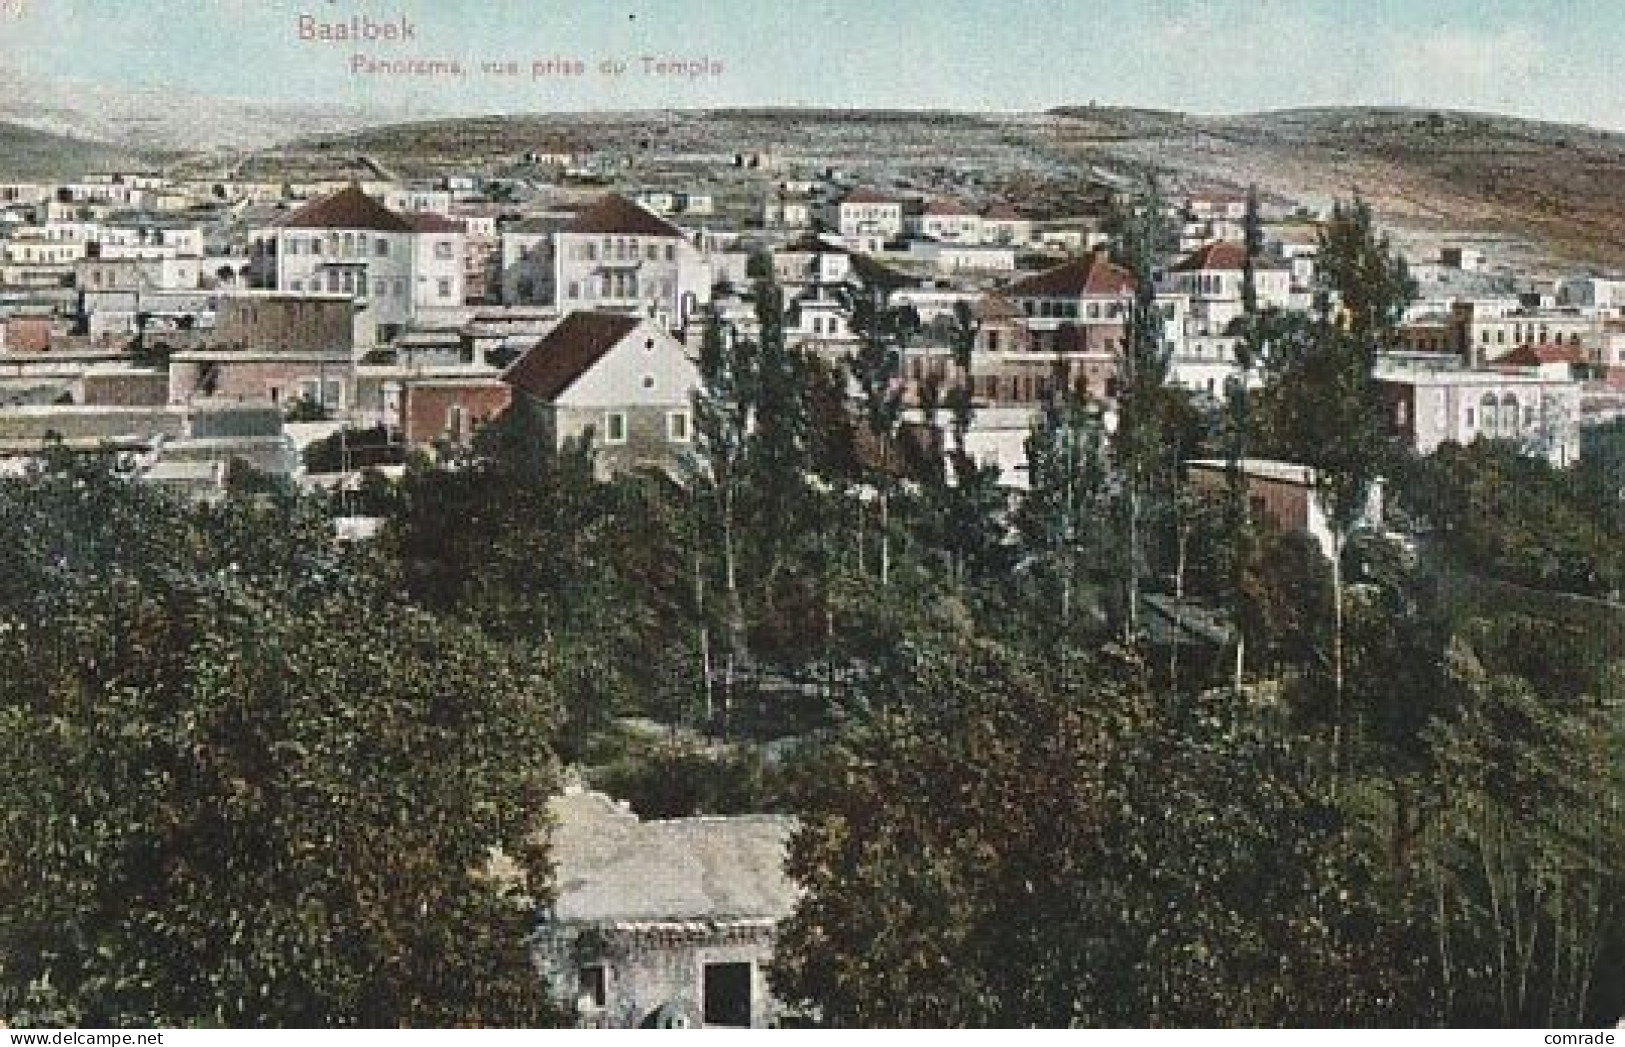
(160,121)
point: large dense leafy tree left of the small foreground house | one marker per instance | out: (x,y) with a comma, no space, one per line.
(249,788)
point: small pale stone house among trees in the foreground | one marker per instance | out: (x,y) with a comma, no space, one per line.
(664,924)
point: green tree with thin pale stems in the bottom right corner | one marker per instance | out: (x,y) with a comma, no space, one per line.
(1523,859)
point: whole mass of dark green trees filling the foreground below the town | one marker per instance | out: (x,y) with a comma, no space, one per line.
(1109,752)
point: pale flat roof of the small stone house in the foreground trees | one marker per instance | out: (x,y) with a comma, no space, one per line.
(615,867)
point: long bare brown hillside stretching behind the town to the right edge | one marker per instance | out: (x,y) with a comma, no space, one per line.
(1532,193)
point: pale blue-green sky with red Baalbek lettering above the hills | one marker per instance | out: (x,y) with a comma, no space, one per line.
(1546,59)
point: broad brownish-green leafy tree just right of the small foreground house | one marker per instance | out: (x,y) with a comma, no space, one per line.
(1080,867)
